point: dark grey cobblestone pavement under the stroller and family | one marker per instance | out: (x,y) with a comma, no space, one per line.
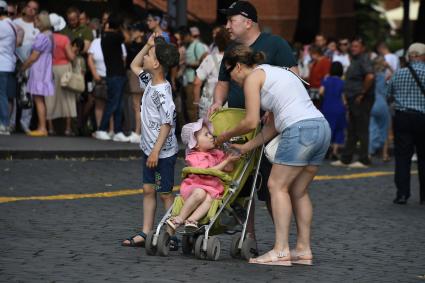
(358,234)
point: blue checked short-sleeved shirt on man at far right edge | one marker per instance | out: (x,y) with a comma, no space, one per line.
(405,91)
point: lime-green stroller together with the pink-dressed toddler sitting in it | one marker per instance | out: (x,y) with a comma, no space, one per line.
(221,208)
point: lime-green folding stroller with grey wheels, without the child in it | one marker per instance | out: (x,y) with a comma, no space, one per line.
(229,214)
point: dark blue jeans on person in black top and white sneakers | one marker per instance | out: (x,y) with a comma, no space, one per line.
(113,106)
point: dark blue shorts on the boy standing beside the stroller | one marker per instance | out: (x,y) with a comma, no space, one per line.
(162,176)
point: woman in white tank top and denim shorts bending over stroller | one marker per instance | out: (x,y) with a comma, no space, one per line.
(304,139)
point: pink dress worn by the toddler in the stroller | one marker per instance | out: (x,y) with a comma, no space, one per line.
(210,184)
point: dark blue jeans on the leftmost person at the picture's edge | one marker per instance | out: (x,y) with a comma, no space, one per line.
(7,90)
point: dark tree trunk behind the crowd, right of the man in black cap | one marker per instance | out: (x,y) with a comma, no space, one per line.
(308,23)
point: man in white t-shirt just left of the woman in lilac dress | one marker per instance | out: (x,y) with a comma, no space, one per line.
(23,52)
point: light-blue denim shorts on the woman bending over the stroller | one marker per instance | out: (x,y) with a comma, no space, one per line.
(304,143)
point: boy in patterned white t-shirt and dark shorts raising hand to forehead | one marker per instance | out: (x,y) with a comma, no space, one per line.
(158,139)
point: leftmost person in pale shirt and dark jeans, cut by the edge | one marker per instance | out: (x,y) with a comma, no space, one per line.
(8,39)
